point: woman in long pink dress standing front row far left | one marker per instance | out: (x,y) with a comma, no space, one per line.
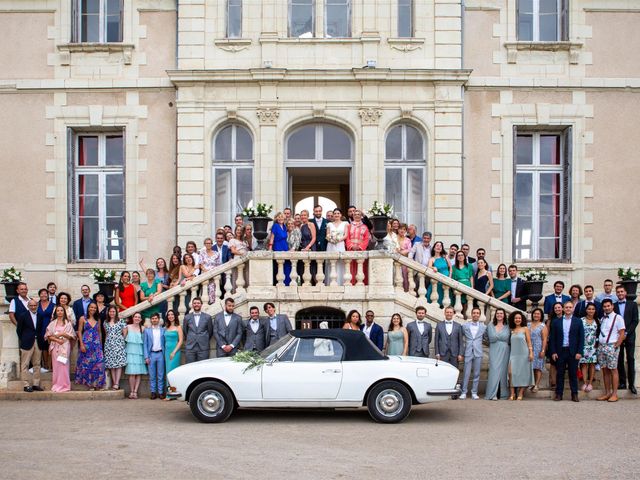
(59,334)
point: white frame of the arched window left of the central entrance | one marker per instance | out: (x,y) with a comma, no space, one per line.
(232,164)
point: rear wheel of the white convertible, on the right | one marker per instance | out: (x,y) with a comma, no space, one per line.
(389,402)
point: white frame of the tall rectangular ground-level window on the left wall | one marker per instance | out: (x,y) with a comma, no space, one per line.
(101,171)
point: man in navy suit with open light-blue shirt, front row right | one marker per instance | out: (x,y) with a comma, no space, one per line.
(566,345)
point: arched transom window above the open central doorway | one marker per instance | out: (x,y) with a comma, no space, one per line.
(320,143)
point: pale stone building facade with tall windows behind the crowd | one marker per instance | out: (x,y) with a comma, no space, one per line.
(131,125)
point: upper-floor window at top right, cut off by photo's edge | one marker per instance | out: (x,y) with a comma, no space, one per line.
(543,20)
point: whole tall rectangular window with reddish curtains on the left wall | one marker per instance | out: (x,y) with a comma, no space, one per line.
(97,199)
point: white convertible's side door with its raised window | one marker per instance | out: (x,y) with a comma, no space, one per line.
(310,369)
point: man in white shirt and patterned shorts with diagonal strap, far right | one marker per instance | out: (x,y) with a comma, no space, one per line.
(612,333)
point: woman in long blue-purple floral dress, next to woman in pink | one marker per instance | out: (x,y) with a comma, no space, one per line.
(90,365)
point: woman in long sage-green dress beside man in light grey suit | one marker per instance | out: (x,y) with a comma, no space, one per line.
(498,335)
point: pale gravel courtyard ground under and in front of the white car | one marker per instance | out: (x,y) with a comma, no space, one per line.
(143,439)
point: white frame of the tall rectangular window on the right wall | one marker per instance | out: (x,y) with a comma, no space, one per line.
(536,169)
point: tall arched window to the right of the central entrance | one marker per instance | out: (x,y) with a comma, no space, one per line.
(405,172)
